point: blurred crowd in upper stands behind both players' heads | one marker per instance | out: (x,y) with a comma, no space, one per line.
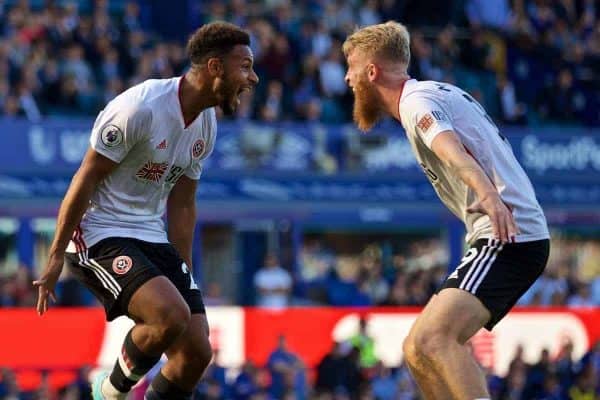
(525,60)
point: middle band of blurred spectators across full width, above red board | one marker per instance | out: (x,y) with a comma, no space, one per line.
(397,271)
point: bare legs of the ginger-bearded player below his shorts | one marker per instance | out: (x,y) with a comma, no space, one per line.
(437,343)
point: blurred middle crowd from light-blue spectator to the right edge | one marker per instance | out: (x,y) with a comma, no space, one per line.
(379,275)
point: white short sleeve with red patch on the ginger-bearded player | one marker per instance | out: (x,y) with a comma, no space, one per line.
(425,117)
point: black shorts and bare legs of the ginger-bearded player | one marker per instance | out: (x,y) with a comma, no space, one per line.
(487,284)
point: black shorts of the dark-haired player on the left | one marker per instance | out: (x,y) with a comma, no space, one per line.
(114,268)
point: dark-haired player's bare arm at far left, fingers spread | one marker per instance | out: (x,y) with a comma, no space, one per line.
(94,168)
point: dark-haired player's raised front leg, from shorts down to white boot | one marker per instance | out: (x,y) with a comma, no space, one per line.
(127,282)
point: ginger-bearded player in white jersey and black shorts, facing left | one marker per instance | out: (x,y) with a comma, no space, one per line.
(474,172)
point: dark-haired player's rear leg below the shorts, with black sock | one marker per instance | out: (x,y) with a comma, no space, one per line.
(188,357)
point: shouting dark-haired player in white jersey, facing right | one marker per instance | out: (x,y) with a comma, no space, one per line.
(147,148)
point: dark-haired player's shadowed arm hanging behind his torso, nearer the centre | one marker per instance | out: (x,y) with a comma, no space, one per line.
(181,216)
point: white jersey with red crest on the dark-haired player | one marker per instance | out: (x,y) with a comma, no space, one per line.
(143,130)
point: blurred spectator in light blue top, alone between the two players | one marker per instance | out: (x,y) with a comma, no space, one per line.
(273,284)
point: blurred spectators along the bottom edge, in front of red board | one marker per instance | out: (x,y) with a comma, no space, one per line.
(352,371)
